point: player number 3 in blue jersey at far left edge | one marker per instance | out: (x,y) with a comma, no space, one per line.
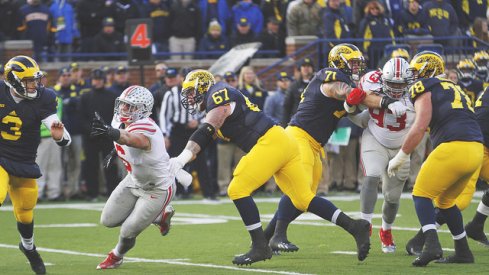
(24,105)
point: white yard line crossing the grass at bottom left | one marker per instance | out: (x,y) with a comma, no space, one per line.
(164,261)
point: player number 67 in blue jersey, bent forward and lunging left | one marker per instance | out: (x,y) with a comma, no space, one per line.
(271,151)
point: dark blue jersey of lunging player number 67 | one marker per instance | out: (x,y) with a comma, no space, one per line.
(246,124)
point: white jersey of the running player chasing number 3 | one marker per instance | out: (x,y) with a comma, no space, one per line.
(147,169)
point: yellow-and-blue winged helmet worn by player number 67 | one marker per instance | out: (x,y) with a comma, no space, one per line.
(194,88)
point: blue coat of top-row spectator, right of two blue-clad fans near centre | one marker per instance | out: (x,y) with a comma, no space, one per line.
(247,9)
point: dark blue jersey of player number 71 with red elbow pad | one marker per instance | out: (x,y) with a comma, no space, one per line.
(318,114)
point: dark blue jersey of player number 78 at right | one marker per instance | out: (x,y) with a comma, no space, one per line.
(453,117)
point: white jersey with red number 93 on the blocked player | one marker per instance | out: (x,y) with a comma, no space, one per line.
(388,129)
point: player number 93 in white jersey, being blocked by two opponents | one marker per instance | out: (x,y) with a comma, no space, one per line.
(381,141)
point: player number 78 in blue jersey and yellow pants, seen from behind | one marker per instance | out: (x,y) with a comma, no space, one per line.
(446,109)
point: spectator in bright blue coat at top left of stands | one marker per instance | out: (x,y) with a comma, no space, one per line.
(66,27)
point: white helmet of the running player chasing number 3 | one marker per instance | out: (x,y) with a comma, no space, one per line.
(135,103)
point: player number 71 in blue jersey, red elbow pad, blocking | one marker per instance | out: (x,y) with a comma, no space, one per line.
(323,104)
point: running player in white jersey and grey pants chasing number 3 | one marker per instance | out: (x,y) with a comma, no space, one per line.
(143,197)
